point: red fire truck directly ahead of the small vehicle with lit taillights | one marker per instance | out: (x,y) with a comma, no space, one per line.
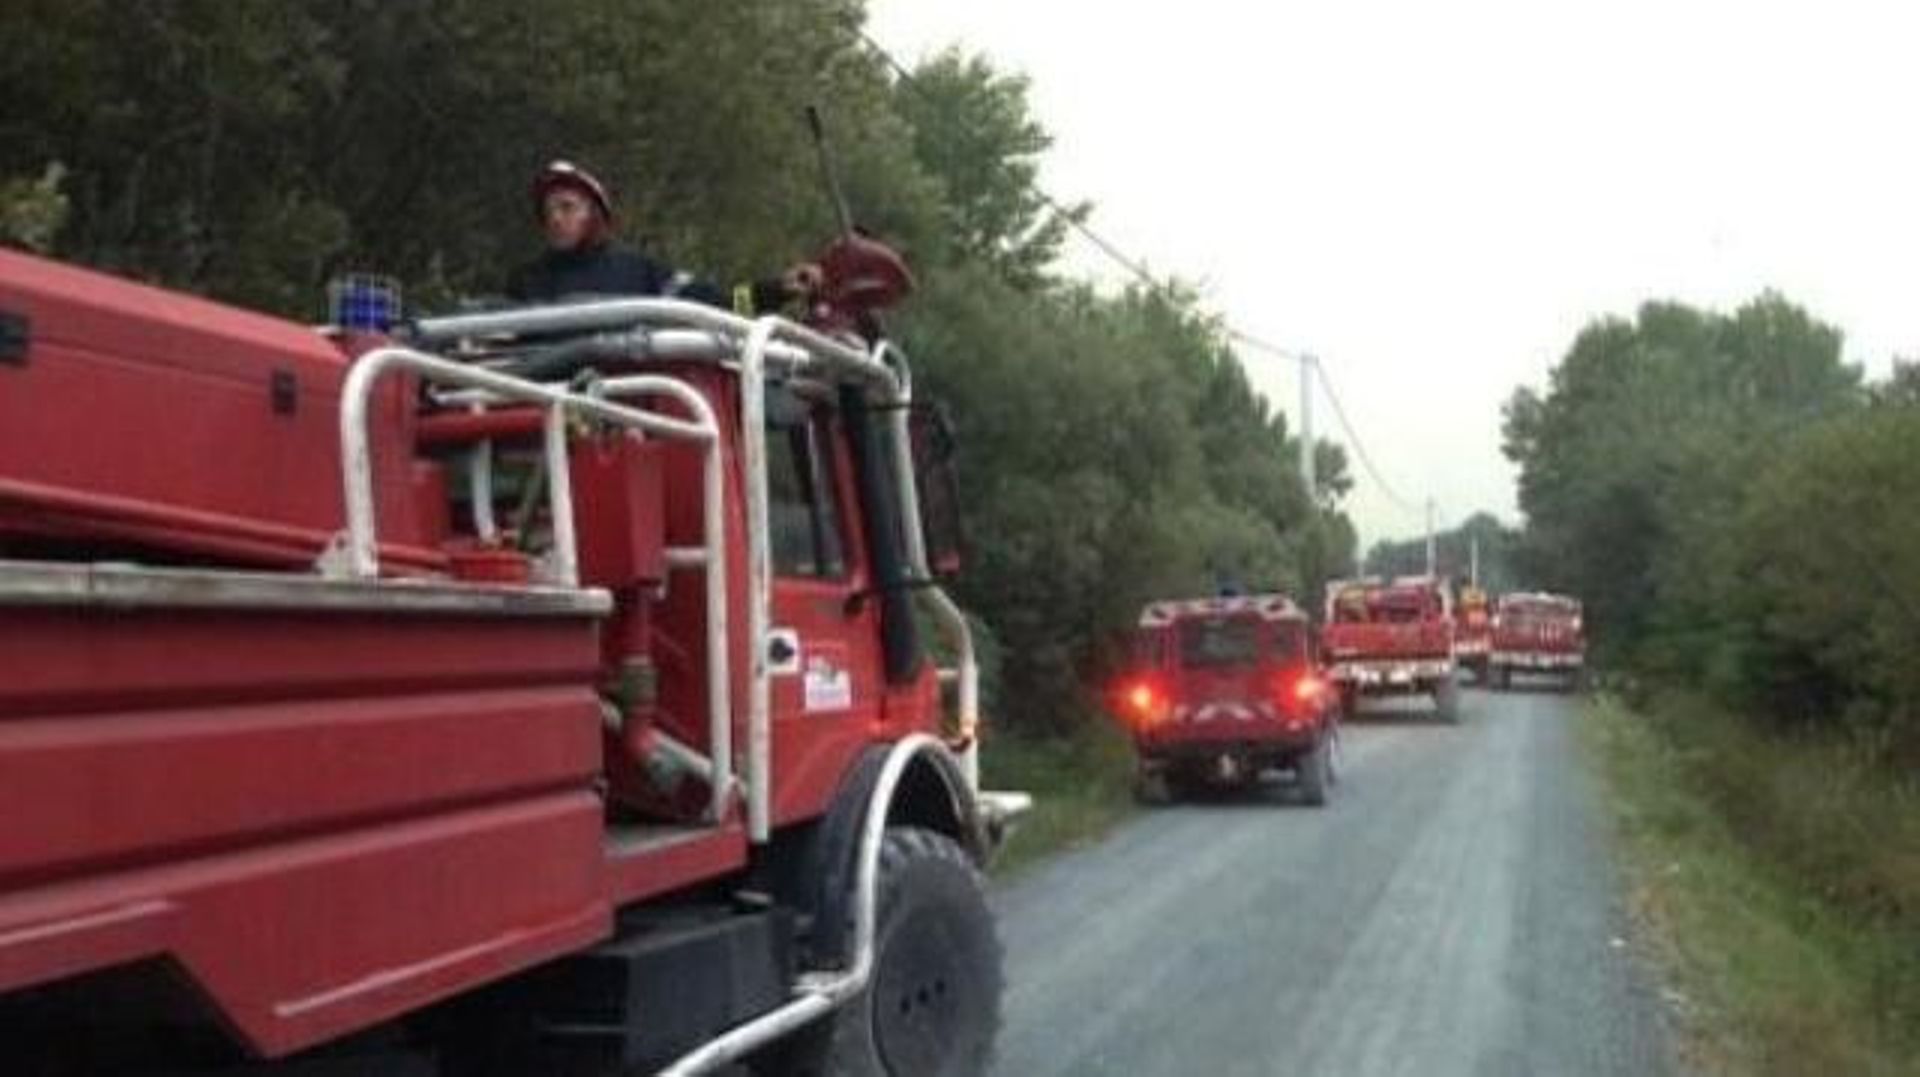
(1391,638)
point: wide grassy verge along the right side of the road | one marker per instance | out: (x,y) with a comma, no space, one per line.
(1775,882)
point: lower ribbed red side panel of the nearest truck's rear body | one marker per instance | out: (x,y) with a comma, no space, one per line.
(324,821)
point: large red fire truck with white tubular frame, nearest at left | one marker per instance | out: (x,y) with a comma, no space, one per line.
(521,692)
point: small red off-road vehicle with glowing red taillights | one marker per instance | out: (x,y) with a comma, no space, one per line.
(1224,690)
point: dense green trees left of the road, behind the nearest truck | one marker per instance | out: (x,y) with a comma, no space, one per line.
(1115,448)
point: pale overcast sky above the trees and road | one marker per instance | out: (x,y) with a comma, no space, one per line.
(1437,197)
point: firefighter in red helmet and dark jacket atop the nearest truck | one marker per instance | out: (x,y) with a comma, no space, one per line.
(583,258)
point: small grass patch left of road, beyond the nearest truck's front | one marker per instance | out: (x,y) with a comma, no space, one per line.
(1082,786)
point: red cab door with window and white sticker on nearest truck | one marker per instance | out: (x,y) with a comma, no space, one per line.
(827,682)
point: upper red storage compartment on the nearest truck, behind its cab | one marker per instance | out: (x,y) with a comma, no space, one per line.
(153,421)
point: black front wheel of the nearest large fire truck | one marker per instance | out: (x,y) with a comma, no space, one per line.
(934,999)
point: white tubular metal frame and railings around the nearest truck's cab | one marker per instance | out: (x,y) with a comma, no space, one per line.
(761,347)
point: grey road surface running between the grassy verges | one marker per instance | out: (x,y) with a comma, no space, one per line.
(1451,913)
